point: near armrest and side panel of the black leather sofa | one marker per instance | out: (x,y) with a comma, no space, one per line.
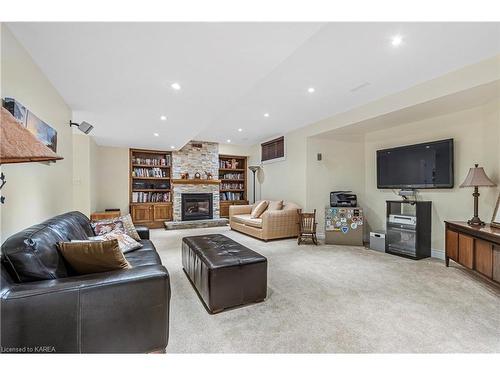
(95,313)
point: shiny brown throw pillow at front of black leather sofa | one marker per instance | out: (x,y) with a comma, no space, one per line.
(93,256)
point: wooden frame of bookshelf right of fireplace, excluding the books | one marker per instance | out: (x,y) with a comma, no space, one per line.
(242,168)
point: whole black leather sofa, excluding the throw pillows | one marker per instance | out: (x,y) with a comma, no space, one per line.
(46,307)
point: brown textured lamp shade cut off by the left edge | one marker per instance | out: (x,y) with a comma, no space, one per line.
(19,145)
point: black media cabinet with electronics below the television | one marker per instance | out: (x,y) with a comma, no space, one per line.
(409,225)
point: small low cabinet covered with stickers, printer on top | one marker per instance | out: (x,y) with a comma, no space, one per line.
(344,226)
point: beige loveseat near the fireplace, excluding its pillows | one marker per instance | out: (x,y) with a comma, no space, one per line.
(271,224)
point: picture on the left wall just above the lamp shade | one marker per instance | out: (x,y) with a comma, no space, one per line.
(41,130)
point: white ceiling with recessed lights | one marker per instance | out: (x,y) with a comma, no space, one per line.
(117,76)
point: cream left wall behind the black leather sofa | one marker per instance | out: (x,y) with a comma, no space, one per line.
(34,191)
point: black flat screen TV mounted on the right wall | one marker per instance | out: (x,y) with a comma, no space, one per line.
(422,166)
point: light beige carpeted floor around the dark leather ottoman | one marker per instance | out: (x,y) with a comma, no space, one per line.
(336,299)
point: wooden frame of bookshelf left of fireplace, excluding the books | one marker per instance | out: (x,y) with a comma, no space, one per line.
(151,214)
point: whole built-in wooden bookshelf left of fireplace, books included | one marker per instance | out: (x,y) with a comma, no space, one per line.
(150,186)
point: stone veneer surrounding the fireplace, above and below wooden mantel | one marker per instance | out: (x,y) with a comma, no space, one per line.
(192,159)
